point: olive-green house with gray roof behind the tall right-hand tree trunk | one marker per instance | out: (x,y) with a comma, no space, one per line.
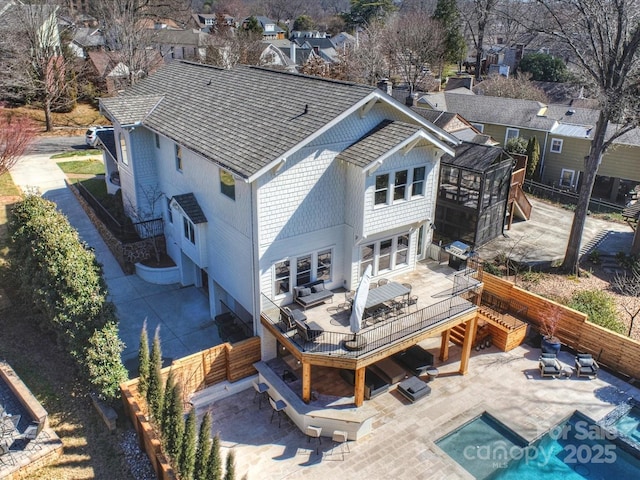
(564,133)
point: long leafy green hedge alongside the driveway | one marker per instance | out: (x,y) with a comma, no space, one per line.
(58,273)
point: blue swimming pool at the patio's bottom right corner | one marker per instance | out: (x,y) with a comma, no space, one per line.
(574,450)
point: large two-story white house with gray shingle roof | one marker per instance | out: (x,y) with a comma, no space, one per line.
(272,180)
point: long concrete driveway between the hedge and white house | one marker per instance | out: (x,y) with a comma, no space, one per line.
(181,313)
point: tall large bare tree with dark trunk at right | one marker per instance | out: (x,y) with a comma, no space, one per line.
(603,39)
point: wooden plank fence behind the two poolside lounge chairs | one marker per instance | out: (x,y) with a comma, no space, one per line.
(616,351)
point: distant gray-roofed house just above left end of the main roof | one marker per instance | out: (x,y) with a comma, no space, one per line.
(180,44)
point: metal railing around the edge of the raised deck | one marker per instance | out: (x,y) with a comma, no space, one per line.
(370,339)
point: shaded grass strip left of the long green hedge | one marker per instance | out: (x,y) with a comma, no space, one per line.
(90,450)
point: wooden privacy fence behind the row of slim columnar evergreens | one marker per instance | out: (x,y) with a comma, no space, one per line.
(229,362)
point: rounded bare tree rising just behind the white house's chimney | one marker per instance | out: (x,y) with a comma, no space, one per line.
(415,45)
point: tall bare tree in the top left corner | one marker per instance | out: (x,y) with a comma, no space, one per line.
(31,57)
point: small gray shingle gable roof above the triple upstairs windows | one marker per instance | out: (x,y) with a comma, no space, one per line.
(378,141)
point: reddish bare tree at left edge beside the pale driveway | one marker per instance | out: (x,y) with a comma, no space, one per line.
(16,134)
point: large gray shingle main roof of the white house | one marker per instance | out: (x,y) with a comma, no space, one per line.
(243,118)
